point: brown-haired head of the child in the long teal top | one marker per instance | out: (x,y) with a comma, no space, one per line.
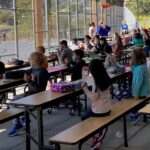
(138,57)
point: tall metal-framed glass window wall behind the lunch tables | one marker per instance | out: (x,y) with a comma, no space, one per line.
(61,19)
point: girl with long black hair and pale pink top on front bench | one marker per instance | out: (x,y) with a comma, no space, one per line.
(100,97)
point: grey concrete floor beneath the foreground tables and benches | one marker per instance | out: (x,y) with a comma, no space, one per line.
(138,135)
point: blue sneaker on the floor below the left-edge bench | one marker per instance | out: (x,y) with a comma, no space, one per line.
(15,129)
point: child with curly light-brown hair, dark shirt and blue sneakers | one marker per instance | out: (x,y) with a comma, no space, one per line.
(37,78)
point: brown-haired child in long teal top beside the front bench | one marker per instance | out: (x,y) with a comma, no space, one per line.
(140,78)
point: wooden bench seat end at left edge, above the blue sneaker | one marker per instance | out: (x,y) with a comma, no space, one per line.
(9,114)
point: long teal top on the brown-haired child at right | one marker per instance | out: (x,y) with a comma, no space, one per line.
(140,80)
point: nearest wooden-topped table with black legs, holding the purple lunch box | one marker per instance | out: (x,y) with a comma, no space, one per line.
(42,101)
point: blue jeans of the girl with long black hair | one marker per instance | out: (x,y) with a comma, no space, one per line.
(90,113)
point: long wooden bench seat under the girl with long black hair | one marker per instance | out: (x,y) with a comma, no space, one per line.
(78,132)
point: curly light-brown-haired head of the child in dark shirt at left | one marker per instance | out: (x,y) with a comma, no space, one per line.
(36,59)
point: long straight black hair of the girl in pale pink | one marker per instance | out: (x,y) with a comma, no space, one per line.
(98,71)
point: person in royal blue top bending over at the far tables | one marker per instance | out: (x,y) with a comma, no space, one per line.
(103,29)
